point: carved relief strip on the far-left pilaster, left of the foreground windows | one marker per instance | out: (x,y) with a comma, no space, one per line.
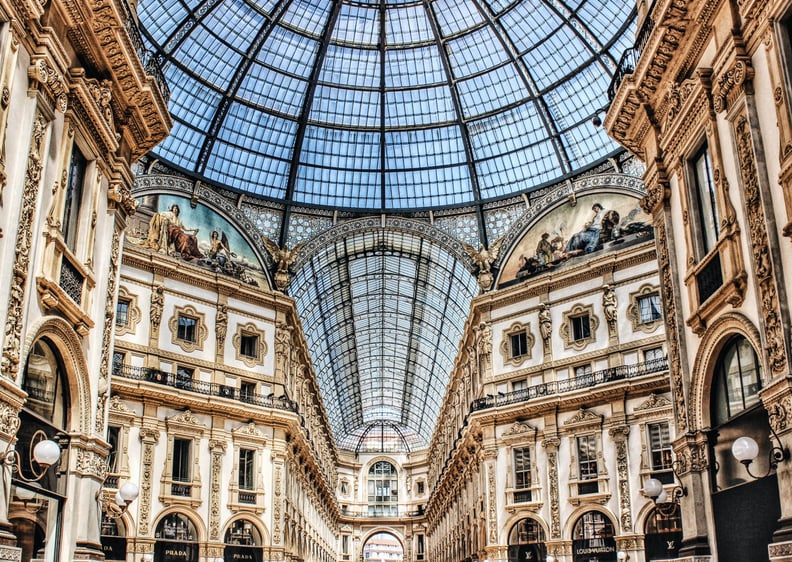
(12,341)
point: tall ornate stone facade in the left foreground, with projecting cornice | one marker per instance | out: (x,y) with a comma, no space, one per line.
(77,108)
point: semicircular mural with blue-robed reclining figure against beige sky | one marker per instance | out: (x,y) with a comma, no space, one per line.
(597,222)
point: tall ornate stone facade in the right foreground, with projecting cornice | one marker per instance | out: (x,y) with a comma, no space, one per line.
(704,100)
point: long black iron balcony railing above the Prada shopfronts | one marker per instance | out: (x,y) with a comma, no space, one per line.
(201,387)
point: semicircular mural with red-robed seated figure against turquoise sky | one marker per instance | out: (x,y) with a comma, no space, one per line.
(200,236)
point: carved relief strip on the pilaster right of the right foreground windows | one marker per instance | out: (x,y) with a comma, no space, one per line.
(763,267)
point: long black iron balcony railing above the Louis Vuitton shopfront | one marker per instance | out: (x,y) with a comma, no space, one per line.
(567,385)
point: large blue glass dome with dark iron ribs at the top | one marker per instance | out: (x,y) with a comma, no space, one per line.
(385,105)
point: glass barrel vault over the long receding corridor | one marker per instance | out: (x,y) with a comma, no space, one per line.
(383,313)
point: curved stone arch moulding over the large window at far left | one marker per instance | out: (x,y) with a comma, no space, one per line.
(66,342)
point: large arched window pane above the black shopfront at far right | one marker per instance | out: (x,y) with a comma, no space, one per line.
(737,380)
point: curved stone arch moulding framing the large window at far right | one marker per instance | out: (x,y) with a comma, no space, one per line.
(713,341)
